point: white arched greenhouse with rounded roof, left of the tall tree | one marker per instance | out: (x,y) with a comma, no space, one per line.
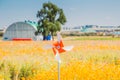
(21,30)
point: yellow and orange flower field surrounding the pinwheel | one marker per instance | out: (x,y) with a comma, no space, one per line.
(88,60)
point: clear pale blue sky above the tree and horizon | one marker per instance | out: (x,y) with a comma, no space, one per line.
(77,12)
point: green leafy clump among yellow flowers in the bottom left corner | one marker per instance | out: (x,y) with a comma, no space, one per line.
(15,71)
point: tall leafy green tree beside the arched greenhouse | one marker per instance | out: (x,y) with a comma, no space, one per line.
(50,20)
